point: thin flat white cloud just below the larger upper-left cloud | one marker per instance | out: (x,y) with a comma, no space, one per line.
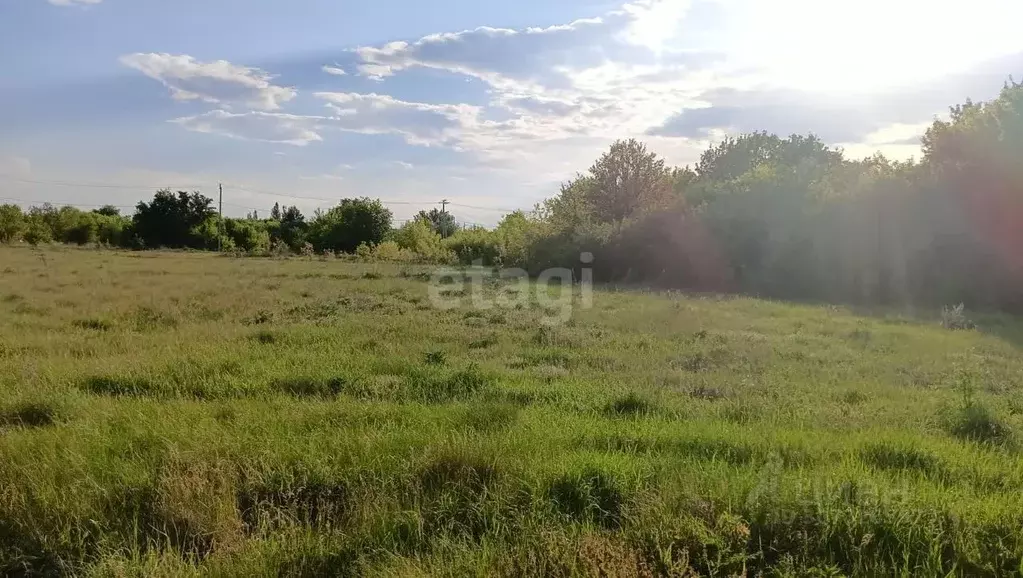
(266,127)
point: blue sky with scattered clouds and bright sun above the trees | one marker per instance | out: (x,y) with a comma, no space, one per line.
(488,105)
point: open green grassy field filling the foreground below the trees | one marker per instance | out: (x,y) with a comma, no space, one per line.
(175,415)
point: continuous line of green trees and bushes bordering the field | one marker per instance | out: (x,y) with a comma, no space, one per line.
(785,217)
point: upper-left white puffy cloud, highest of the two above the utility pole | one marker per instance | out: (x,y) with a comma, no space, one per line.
(218,82)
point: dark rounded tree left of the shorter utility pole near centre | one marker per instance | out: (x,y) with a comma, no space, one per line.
(354,223)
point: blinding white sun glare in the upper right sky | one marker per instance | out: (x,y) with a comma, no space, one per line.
(871,45)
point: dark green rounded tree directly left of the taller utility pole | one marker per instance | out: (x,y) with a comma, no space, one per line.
(172,220)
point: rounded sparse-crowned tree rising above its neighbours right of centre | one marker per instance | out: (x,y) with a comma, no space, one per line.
(626,180)
